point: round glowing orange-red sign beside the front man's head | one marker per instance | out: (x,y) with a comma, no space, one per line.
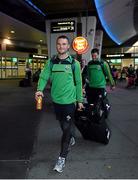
(80,45)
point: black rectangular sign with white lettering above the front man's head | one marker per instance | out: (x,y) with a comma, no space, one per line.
(62,26)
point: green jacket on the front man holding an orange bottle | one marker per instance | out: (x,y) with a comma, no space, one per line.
(63,90)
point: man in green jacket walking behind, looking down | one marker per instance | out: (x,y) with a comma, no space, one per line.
(97,71)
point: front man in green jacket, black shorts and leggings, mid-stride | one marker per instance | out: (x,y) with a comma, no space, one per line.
(66,91)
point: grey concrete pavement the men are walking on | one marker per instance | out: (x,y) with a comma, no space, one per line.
(20,123)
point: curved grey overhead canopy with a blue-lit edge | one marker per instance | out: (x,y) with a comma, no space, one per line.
(117,18)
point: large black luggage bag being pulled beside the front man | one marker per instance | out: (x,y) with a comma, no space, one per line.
(92,125)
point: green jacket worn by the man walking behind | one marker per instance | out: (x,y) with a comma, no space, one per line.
(96,76)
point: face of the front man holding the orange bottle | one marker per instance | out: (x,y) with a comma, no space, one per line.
(62,46)
